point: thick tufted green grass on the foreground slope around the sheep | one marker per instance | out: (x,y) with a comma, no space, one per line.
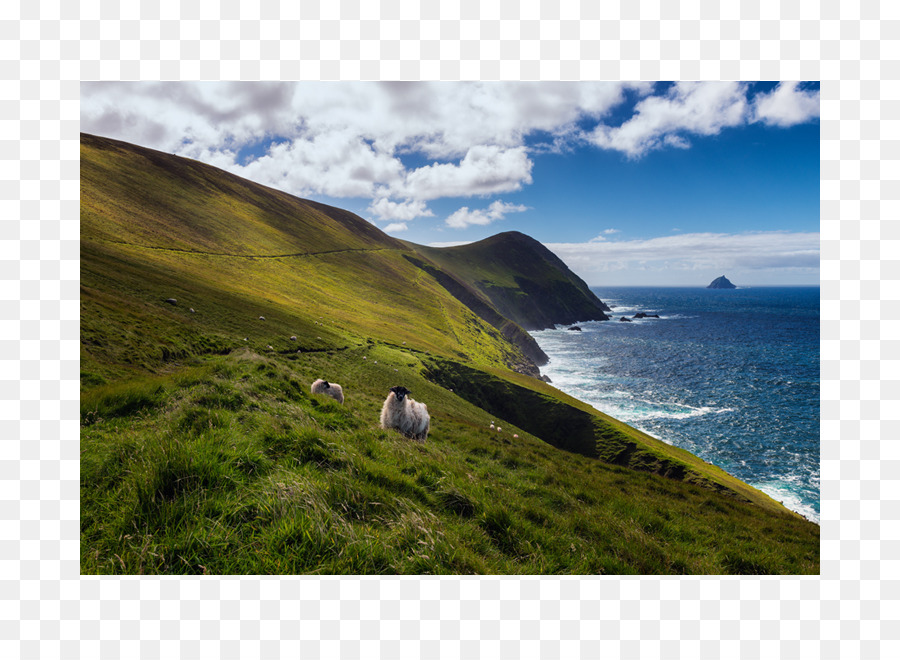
(232,467)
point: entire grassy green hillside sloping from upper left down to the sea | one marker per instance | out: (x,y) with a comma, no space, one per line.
(203,450)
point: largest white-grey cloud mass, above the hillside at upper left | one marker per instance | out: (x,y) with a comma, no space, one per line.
(348,139)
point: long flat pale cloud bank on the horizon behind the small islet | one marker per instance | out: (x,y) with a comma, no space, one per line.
(696,251)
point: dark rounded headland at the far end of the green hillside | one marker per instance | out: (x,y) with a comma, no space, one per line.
(525,281)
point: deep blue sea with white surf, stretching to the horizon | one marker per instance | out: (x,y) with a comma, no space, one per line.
(730,375)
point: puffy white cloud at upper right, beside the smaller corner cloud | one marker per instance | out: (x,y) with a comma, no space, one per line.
(700,108)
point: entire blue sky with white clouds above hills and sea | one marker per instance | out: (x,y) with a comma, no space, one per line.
(644,184)
